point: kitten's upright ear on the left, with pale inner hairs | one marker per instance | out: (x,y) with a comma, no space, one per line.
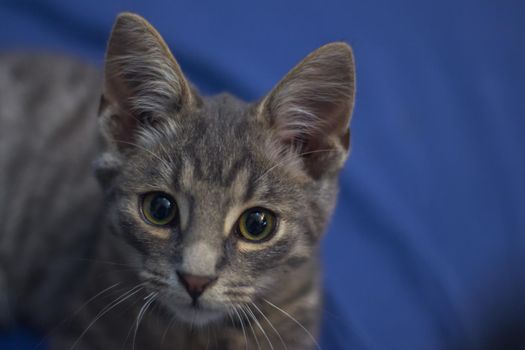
(143,82)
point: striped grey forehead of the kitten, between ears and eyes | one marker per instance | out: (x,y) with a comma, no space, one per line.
(219,143)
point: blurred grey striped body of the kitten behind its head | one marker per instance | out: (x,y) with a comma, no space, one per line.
(49,201)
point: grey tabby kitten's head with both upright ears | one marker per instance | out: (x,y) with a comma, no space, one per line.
(223,202)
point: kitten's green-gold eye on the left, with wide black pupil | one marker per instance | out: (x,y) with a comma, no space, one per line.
(159,208)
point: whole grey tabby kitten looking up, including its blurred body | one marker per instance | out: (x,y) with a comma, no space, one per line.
(208,235)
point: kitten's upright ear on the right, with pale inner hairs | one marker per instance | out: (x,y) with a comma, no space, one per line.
(310,109)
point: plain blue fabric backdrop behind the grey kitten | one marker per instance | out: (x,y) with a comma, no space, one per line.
(427,246)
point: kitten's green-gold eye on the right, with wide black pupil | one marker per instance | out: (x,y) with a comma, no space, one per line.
(256,224)
